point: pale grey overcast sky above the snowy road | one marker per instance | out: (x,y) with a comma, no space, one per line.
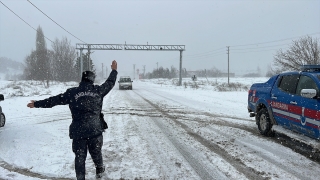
(253,29)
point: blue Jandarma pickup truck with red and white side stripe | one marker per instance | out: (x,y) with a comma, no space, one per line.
(290,100)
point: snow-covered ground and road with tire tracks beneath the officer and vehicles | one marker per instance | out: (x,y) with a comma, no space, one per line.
(156,131)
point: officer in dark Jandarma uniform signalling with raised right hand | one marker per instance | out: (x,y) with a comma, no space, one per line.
(85,104)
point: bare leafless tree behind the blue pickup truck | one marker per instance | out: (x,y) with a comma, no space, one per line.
(304,51)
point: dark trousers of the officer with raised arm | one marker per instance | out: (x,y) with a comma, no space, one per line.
(80,148)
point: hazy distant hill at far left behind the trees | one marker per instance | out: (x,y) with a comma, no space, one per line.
(10,69)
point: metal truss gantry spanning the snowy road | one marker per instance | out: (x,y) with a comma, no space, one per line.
(130,47)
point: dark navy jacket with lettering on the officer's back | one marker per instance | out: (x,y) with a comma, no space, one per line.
(85,103)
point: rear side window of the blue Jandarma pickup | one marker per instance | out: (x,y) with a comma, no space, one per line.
(288,83)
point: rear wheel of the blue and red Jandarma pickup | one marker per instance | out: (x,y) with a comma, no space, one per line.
(264,123)
